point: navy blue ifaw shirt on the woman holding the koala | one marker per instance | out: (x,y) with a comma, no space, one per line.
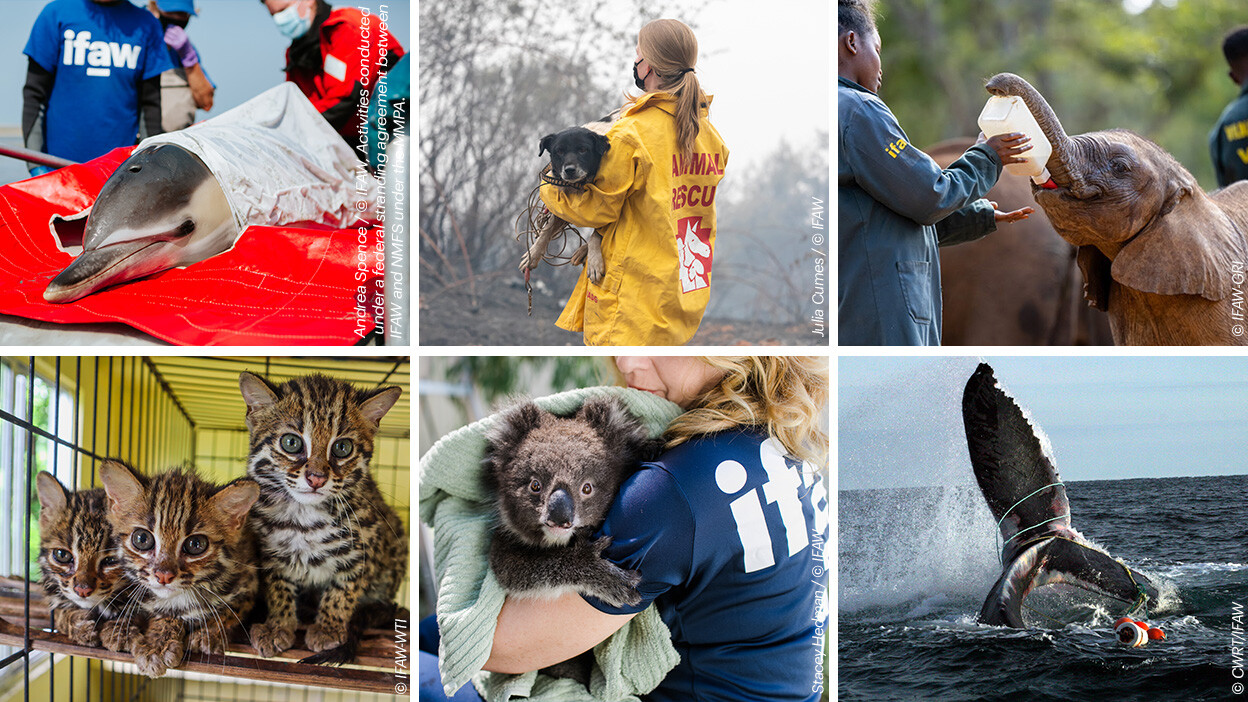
(729,536)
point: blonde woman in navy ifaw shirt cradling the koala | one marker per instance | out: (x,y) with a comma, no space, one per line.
(728,530)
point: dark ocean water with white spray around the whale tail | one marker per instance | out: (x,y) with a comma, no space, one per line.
(917,564)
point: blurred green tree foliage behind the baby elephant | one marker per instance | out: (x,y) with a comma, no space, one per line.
(1159,73)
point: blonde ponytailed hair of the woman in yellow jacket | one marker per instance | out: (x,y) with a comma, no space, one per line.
(671,48)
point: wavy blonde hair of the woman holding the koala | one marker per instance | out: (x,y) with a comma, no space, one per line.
(783,395)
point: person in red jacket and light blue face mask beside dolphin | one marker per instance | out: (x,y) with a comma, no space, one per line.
(335,58)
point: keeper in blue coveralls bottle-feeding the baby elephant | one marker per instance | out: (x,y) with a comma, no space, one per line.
(897,205)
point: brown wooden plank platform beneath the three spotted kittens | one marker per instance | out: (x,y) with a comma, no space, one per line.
(375,671)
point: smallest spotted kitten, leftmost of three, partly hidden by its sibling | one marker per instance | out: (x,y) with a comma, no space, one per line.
(83,575)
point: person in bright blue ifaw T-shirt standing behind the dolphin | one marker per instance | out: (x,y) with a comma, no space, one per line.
(93,79)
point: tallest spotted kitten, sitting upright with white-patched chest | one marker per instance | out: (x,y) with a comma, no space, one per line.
(326,534)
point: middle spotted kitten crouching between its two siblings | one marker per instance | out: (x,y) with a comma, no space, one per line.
(189,549)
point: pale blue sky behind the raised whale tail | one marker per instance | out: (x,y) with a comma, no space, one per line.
(1108,418)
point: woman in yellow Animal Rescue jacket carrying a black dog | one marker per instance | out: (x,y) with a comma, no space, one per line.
(653,203)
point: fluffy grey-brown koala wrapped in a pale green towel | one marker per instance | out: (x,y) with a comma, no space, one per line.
(555,479)
